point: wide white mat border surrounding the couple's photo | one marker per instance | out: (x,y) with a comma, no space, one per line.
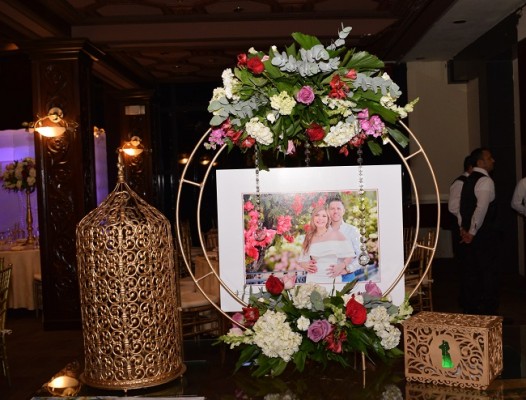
(232,184)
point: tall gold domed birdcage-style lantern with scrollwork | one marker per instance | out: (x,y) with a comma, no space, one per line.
(131,327)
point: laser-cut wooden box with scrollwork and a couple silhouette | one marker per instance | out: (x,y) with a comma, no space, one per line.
(473,343)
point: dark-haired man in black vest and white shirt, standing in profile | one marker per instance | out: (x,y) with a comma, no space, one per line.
(478,212)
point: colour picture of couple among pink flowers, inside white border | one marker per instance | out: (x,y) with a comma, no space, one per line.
(313,237)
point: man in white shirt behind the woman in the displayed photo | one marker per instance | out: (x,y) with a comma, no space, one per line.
(351,233)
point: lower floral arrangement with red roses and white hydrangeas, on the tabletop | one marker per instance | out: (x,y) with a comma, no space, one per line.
(298,323)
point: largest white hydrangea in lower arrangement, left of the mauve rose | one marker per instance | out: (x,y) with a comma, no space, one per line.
(274,336)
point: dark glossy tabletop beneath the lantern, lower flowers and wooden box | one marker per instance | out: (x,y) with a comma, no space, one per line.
(210,375)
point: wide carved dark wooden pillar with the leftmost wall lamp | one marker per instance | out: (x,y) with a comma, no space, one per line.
(61,73)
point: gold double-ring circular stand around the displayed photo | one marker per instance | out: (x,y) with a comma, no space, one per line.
(419,151)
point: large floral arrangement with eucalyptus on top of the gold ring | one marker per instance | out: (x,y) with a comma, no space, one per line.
(324,96)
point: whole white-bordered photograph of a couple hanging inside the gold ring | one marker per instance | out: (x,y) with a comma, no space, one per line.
(278,236)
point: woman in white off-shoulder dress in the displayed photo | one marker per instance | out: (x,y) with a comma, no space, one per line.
(326,252)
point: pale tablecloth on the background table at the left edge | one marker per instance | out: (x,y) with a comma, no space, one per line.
(26,263)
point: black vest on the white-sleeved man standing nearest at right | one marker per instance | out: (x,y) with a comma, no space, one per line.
(468,203)
